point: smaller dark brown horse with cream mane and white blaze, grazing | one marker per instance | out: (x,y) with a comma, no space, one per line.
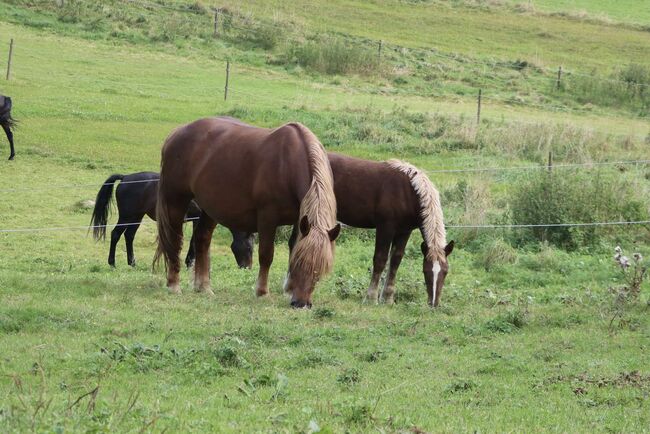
(395,198)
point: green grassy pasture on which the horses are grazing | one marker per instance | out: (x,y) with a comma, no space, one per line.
(528,337)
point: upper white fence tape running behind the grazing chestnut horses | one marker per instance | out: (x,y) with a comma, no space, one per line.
(586,166)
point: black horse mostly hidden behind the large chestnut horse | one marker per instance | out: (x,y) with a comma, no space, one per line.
(136,197)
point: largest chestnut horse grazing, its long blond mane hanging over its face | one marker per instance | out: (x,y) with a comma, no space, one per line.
(251,180)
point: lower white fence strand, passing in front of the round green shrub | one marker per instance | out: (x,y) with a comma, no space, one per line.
(449,226)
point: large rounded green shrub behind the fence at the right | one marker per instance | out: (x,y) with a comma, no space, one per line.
(551,198)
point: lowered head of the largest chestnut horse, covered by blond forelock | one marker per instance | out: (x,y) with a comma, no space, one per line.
(311,257)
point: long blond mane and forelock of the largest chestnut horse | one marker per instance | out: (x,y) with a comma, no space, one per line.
(314,252)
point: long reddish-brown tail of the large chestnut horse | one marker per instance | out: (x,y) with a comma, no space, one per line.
(166,233)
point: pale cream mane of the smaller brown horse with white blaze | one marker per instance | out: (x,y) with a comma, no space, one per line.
(433,225)
